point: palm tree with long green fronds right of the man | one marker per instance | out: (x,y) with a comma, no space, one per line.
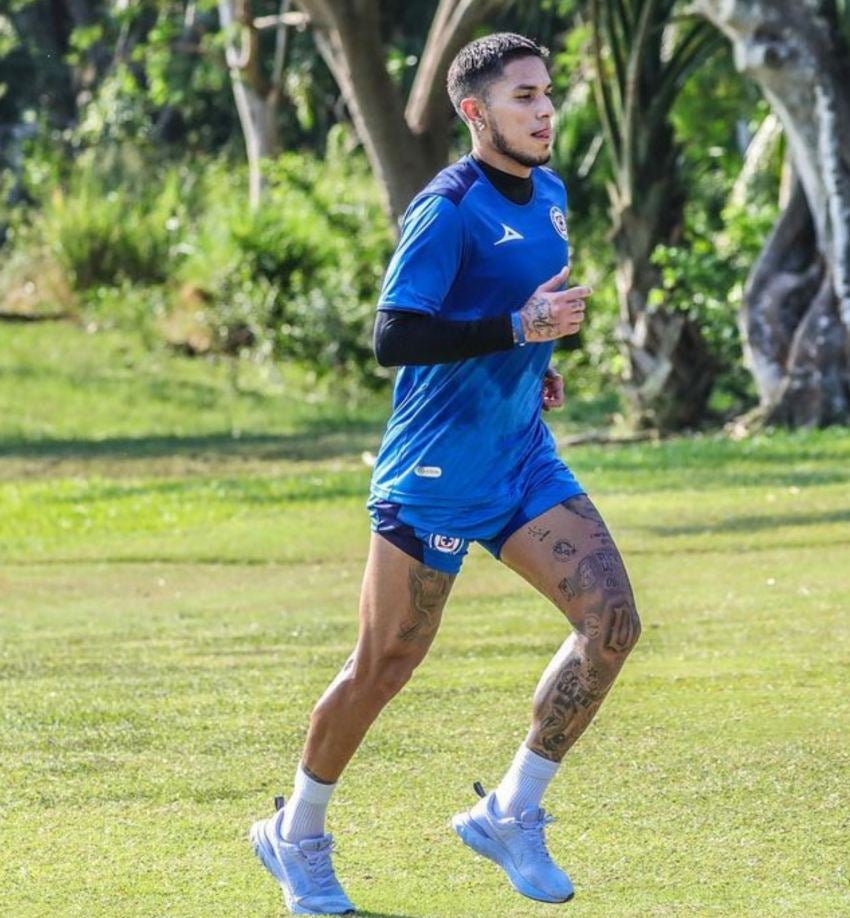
(643,56)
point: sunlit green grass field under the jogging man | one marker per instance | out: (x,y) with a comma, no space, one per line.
(179,564)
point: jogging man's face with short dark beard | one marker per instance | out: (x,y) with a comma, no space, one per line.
(519,112)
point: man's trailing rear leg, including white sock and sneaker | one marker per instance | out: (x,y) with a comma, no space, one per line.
(401,604)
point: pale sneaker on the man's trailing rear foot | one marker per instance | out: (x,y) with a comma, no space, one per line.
(304,870)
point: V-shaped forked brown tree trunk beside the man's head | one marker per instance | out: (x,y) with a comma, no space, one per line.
(404,149)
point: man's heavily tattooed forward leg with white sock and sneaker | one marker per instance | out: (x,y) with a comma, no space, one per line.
(567,553)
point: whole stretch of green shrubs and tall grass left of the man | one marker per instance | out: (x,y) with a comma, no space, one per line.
(175,246)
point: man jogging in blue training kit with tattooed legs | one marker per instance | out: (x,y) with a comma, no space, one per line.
(473,299)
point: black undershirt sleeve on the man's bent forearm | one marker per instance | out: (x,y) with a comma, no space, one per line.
(412,339)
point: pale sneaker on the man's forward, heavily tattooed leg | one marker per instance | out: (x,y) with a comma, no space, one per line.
(518,846)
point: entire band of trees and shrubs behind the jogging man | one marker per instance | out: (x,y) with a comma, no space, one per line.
(226,176)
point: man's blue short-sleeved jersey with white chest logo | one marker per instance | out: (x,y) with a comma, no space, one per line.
(461,433)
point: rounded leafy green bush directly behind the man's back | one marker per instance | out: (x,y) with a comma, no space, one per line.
(298,278)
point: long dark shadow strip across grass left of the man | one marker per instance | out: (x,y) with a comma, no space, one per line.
(316,441)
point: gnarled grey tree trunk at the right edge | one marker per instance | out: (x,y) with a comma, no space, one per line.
(796,315)
